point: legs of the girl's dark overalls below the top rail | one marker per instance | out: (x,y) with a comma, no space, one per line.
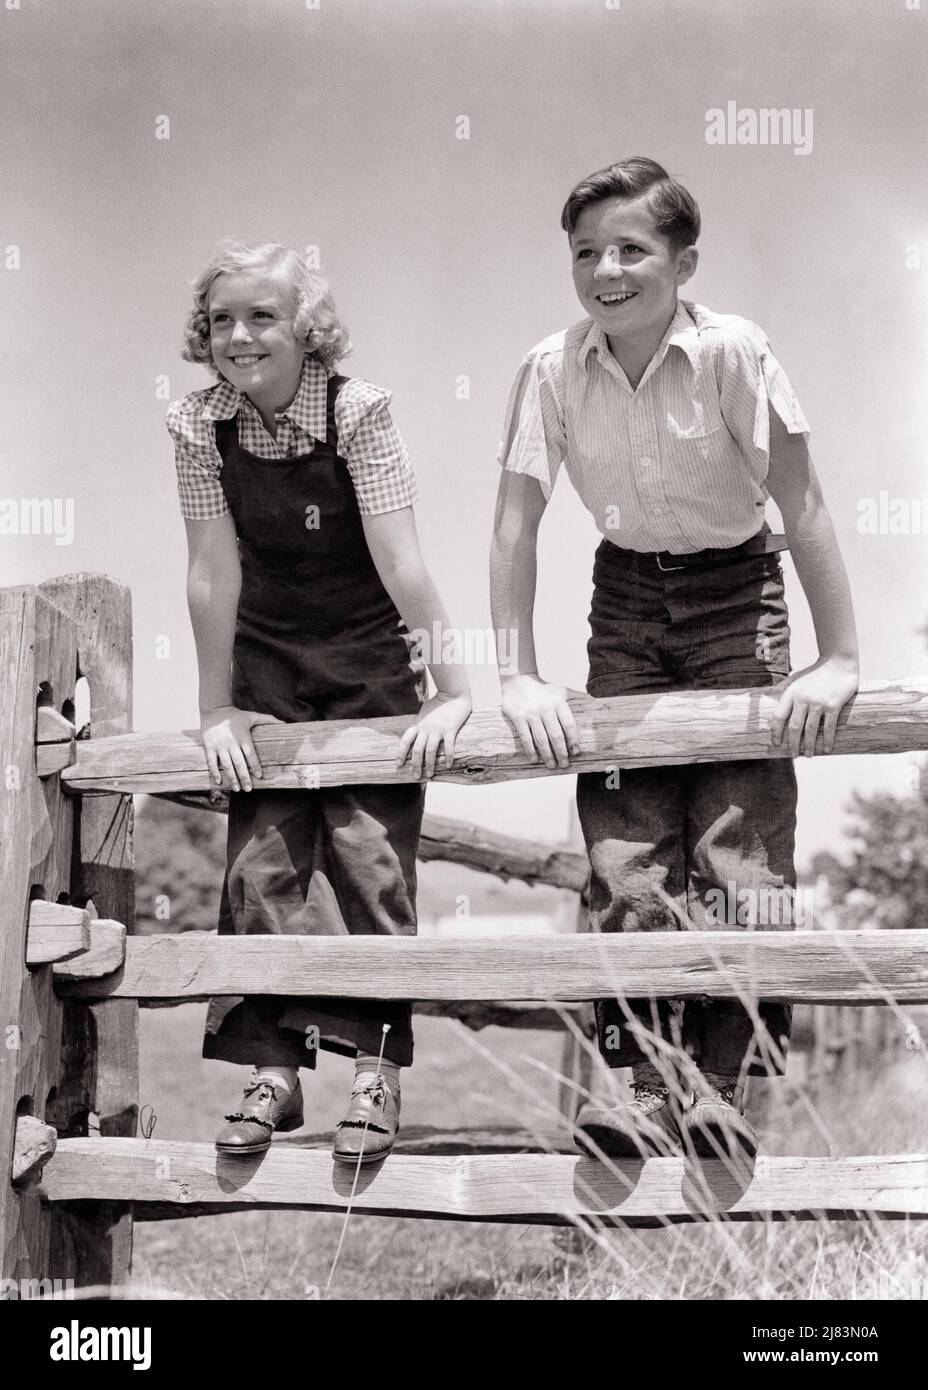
(330,862)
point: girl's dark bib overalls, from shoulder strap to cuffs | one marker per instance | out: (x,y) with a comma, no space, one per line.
(317,637)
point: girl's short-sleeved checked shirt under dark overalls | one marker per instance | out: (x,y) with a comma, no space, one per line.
(369,441)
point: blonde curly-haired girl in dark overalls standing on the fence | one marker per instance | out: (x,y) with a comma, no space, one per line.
(305,580)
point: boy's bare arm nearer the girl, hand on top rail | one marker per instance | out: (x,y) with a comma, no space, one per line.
(540,712)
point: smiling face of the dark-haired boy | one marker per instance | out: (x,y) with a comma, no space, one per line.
(626,272)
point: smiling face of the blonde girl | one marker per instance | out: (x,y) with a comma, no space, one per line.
(252,337)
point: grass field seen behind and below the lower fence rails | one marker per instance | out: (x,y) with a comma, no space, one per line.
(288,1256)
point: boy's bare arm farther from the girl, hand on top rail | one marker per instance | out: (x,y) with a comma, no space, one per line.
(816,696)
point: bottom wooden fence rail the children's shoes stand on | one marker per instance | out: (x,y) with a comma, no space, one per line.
(188,1179)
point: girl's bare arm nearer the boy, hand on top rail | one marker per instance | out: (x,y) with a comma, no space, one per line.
(395,550)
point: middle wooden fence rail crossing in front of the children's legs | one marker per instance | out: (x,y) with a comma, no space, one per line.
(808,967)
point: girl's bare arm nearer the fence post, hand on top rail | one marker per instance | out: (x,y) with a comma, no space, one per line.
(215,582)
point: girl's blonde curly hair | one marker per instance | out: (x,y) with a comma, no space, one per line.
(315,315)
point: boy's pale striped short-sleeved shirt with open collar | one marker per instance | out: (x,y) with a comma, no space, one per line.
(676,465)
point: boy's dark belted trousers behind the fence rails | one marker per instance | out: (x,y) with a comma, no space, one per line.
(679,849)
